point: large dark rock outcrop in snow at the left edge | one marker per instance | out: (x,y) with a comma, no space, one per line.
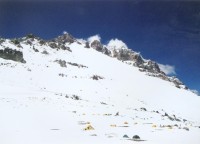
(10,54)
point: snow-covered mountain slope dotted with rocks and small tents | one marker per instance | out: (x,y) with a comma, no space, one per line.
(70,91)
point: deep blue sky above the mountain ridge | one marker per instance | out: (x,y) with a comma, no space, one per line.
(167,32)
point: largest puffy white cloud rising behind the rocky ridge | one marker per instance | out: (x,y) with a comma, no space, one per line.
(116,44)
